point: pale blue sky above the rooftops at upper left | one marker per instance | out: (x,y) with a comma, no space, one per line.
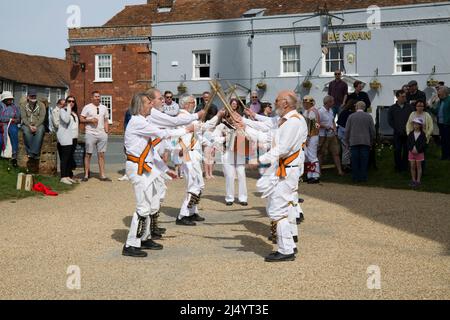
(39,27)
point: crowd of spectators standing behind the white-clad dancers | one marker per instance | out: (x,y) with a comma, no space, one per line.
(340,127)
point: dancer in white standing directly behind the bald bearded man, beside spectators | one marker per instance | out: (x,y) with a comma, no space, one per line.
(312,117)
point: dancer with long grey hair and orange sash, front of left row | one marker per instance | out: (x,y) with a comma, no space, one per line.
(144,170)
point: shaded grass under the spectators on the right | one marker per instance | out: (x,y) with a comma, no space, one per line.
(435,179)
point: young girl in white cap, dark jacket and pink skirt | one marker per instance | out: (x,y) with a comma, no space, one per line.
(417,142)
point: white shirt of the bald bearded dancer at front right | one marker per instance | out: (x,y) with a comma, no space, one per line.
(286,140)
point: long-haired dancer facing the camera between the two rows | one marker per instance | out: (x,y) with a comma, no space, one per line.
(233,160)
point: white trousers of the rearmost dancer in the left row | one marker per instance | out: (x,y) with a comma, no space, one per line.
(194,184)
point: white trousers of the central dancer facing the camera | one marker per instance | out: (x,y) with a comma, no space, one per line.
(234,165)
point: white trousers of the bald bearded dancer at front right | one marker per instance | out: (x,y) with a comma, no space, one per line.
(279,209)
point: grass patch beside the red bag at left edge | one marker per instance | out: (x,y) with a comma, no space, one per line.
(8,182)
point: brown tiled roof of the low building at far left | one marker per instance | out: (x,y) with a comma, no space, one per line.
(34,70)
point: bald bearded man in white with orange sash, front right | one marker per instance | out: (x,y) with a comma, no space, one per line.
(280,182)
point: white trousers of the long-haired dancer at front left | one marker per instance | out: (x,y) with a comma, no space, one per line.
(147,190)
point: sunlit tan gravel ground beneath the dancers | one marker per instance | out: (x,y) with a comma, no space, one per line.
(347,229)
